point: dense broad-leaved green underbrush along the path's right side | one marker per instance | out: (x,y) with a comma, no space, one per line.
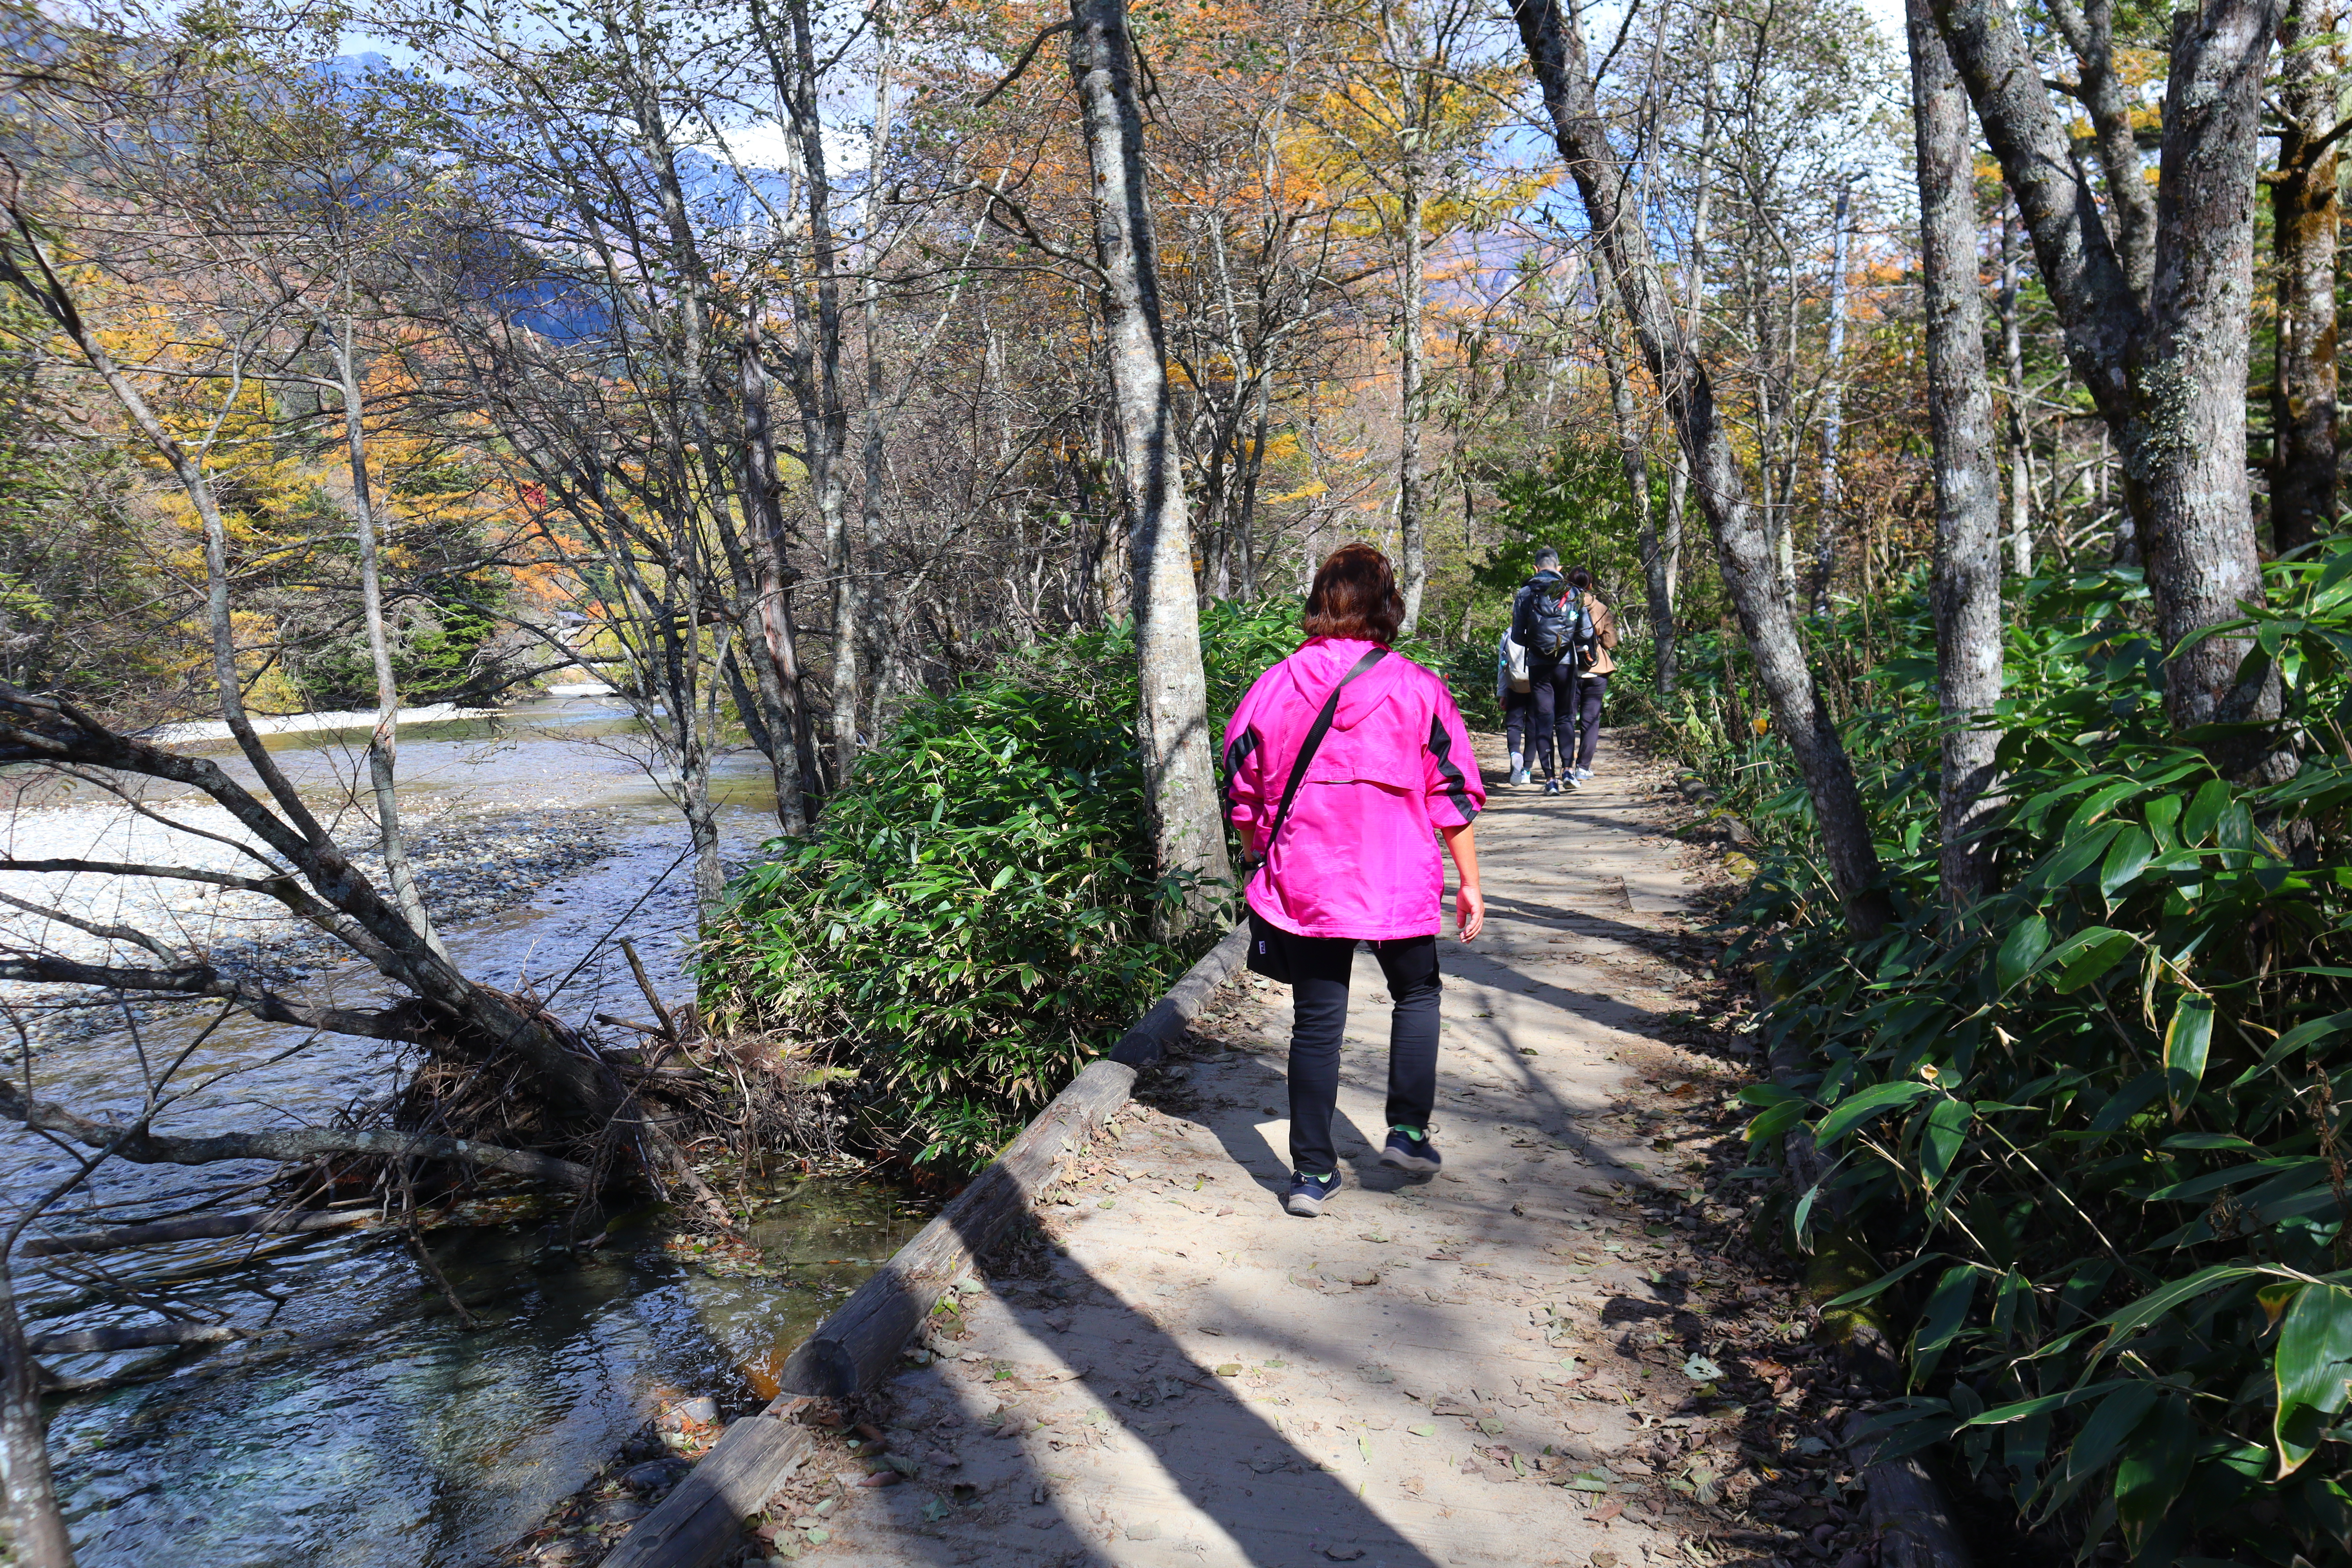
(2094,1137)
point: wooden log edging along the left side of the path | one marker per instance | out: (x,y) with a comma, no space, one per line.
(860,1346)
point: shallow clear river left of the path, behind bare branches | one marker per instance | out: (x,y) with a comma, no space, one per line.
(366,1428)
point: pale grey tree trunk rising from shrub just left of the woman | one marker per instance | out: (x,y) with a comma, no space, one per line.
(1172,721)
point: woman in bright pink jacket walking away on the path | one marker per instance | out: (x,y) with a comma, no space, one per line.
(1356,859)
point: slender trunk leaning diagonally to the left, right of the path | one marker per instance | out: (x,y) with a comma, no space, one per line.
(1556,48)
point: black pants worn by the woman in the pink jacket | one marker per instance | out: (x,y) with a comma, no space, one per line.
(1321,967)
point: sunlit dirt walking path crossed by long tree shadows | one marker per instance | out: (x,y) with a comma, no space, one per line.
(1542,1358)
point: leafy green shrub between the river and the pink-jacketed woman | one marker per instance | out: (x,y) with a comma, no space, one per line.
(973,916)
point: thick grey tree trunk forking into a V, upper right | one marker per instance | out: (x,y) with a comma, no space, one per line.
(2170,370)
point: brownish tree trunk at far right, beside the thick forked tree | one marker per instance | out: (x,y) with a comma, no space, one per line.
(2304,220)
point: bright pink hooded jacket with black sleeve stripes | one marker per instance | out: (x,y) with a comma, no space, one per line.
(1358,855)
